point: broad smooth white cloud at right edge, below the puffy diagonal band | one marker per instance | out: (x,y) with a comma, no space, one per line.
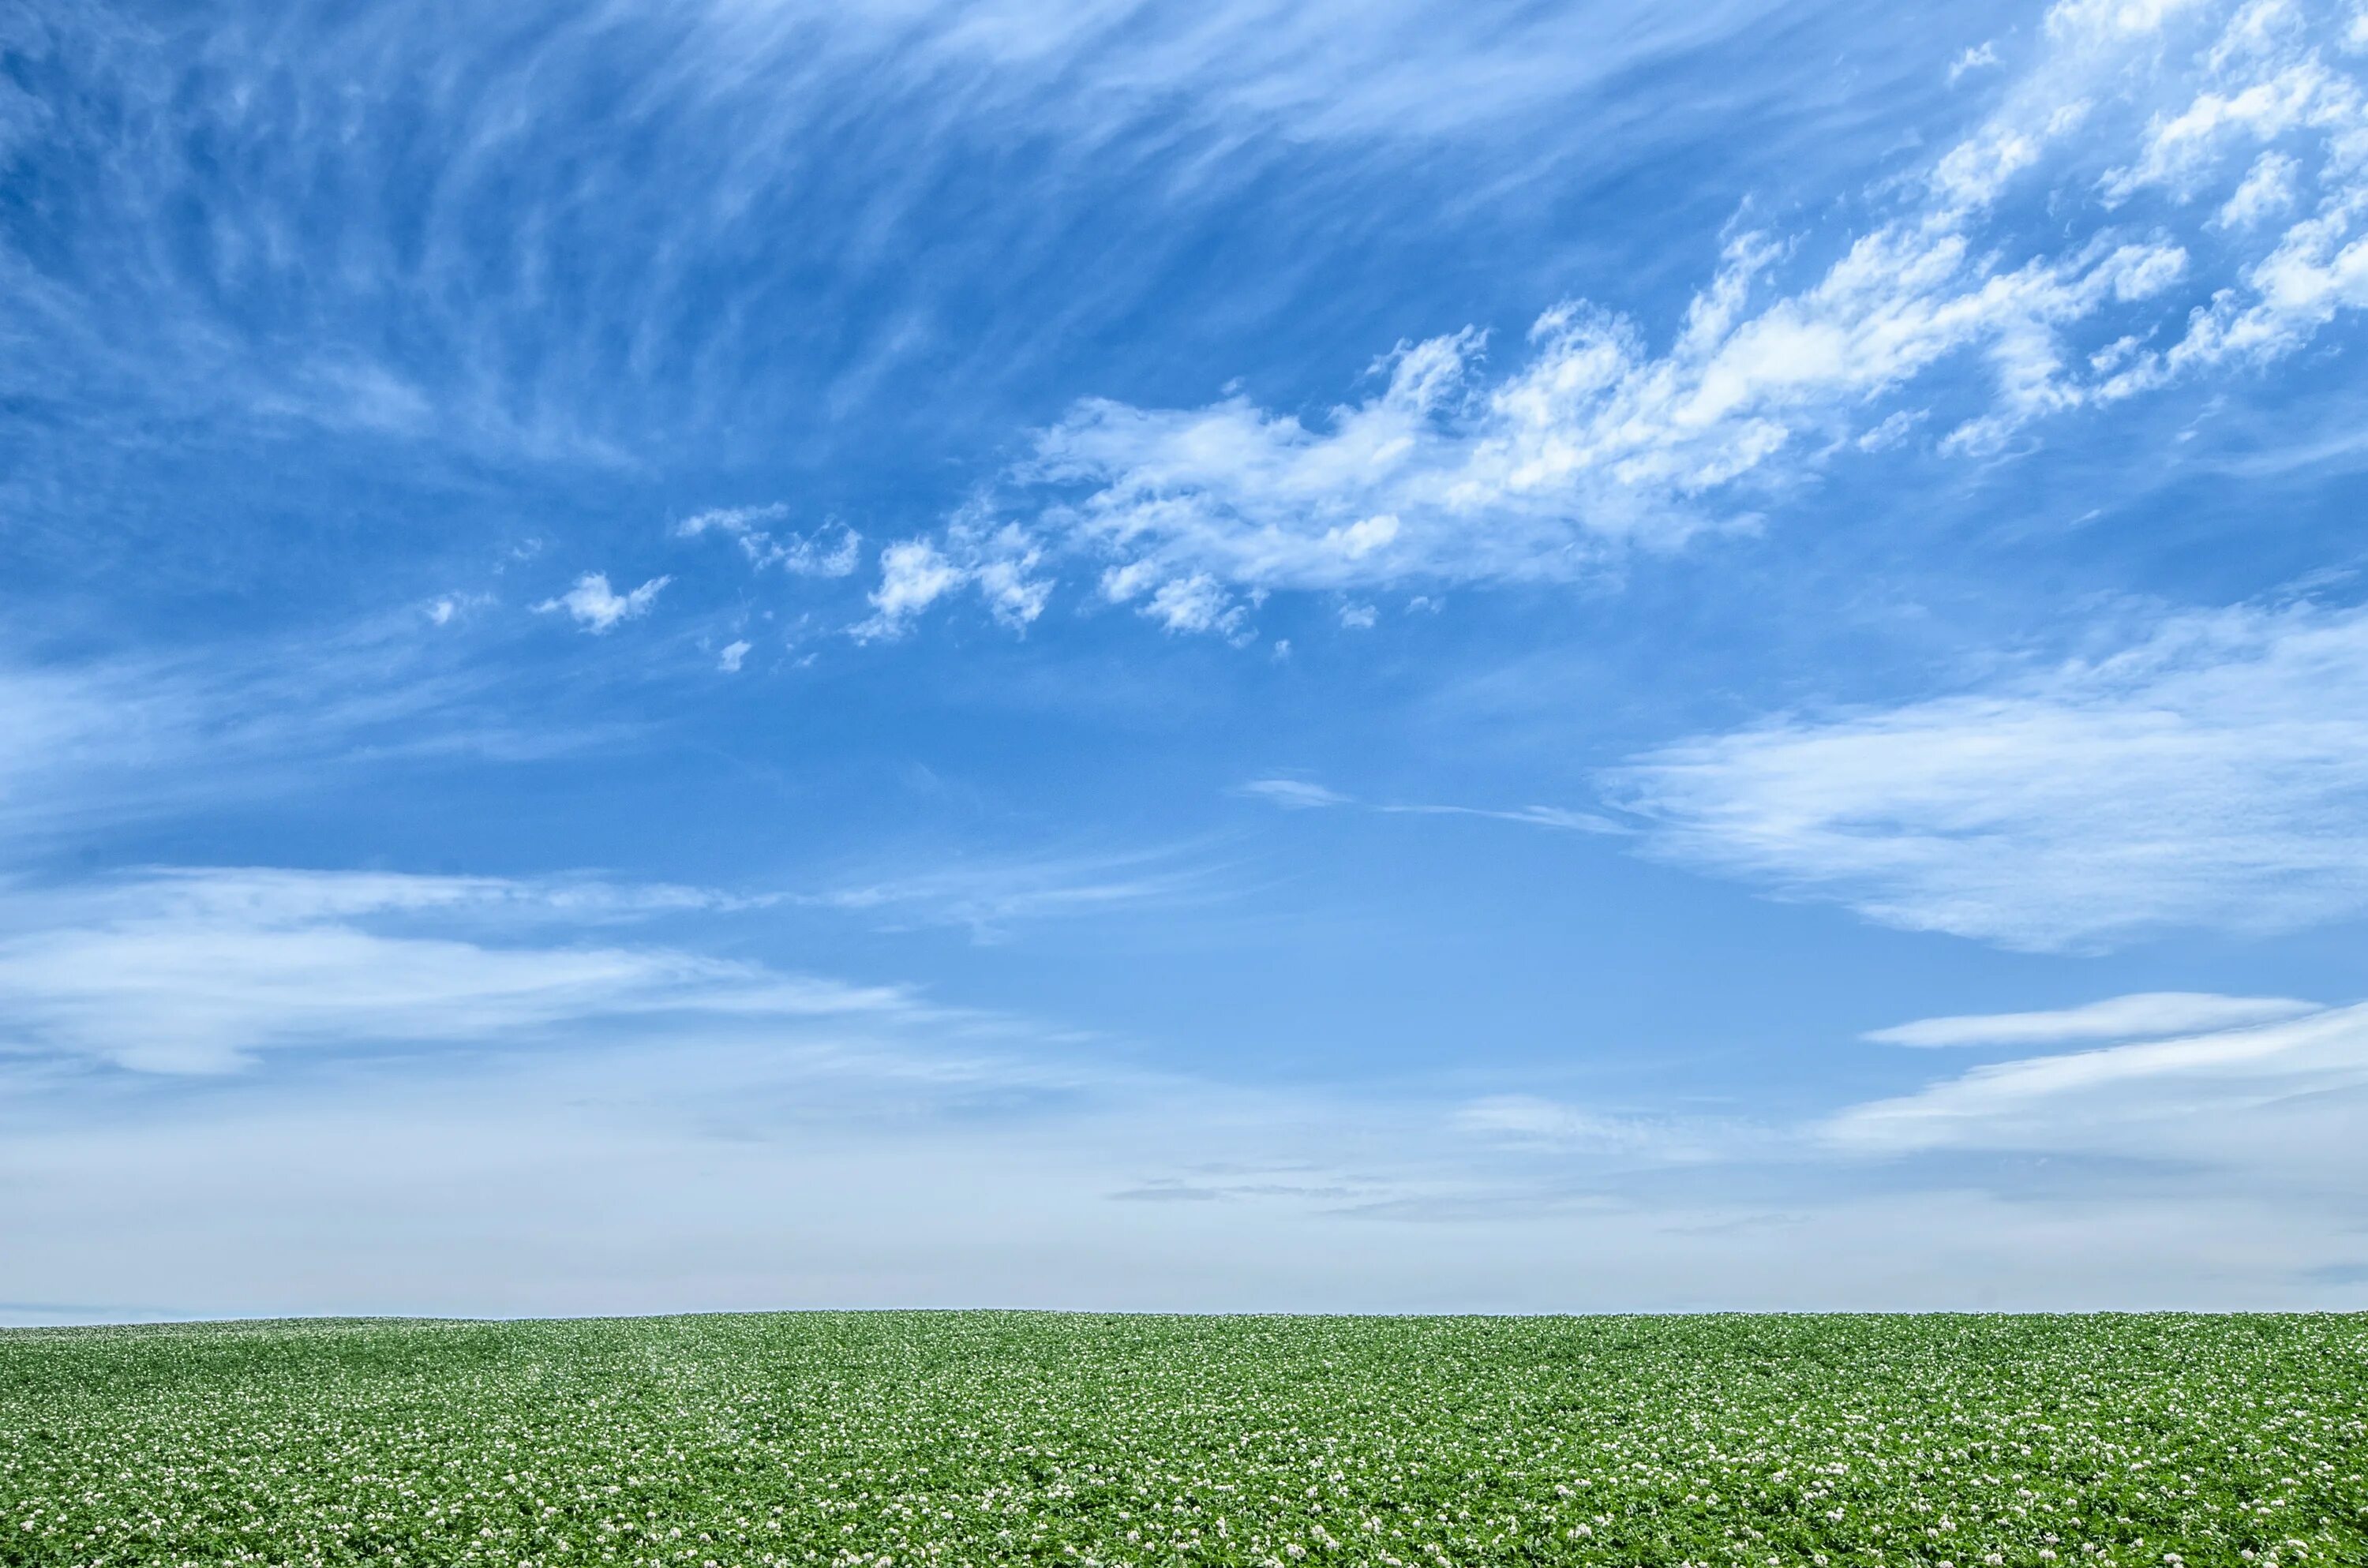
(2213,773)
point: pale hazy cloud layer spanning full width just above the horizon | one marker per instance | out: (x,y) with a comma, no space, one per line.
(906,1155)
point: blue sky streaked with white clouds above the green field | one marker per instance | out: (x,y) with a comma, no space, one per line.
(1183,657)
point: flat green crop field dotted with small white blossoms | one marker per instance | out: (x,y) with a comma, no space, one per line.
(903,1439)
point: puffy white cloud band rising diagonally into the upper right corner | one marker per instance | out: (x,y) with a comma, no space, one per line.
(1597,442)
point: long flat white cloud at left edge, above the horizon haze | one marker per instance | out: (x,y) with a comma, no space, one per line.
(200,972)
